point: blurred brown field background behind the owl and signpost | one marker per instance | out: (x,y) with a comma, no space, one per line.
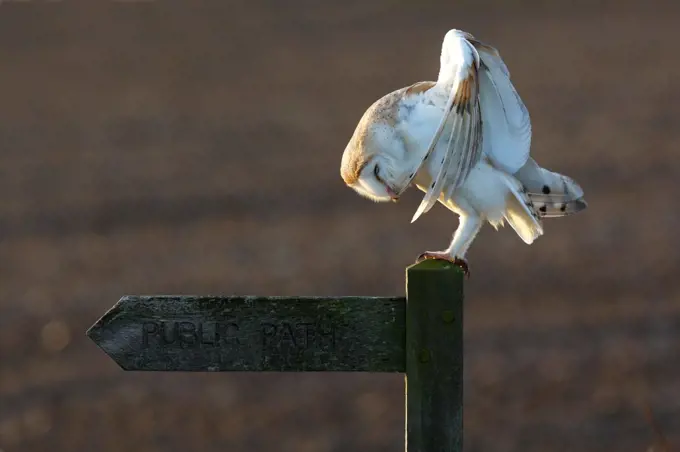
(190,147)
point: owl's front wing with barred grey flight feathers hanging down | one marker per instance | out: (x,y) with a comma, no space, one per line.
(459,75)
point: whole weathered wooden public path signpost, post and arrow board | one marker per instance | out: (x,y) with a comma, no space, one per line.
(420,335)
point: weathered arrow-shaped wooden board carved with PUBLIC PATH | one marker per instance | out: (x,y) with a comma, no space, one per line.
(204,333)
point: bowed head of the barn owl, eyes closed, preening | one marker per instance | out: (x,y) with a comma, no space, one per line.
(372,163)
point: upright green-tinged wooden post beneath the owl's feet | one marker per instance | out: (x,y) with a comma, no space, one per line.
(434,357)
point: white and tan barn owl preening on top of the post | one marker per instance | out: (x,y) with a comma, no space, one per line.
(464,141)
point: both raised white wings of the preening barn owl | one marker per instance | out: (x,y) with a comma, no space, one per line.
(480,92)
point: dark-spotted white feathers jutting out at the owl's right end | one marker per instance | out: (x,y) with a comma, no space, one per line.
(552,194)
